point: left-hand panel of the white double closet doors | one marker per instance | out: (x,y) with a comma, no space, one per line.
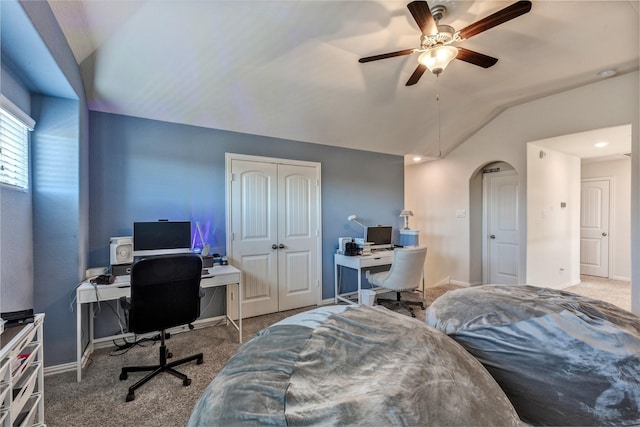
(254,227)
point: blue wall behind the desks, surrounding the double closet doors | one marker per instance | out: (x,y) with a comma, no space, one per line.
(143,170)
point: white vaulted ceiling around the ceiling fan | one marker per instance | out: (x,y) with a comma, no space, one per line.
(289,69)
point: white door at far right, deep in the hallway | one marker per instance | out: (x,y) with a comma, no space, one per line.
(594,228)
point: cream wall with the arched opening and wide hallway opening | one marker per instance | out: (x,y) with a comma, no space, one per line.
(435,190)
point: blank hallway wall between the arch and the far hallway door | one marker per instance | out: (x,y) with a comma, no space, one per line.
(553,231)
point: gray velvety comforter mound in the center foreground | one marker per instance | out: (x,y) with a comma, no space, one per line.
(351,365)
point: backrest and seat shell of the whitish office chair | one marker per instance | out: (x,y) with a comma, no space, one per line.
(406,269)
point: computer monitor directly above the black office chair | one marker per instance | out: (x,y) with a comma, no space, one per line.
(161,238)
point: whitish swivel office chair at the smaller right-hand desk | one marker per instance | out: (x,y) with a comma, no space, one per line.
(405,275)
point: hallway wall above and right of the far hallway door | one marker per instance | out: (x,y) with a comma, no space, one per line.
(620,233)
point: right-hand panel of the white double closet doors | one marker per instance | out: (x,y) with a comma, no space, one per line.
(297,236)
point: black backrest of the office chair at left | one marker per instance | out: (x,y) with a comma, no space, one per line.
(164,292)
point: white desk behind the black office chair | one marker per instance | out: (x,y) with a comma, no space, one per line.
(87,293)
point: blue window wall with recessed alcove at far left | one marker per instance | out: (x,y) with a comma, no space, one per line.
(36,52)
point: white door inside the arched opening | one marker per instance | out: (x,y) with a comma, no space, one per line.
(501,228)
